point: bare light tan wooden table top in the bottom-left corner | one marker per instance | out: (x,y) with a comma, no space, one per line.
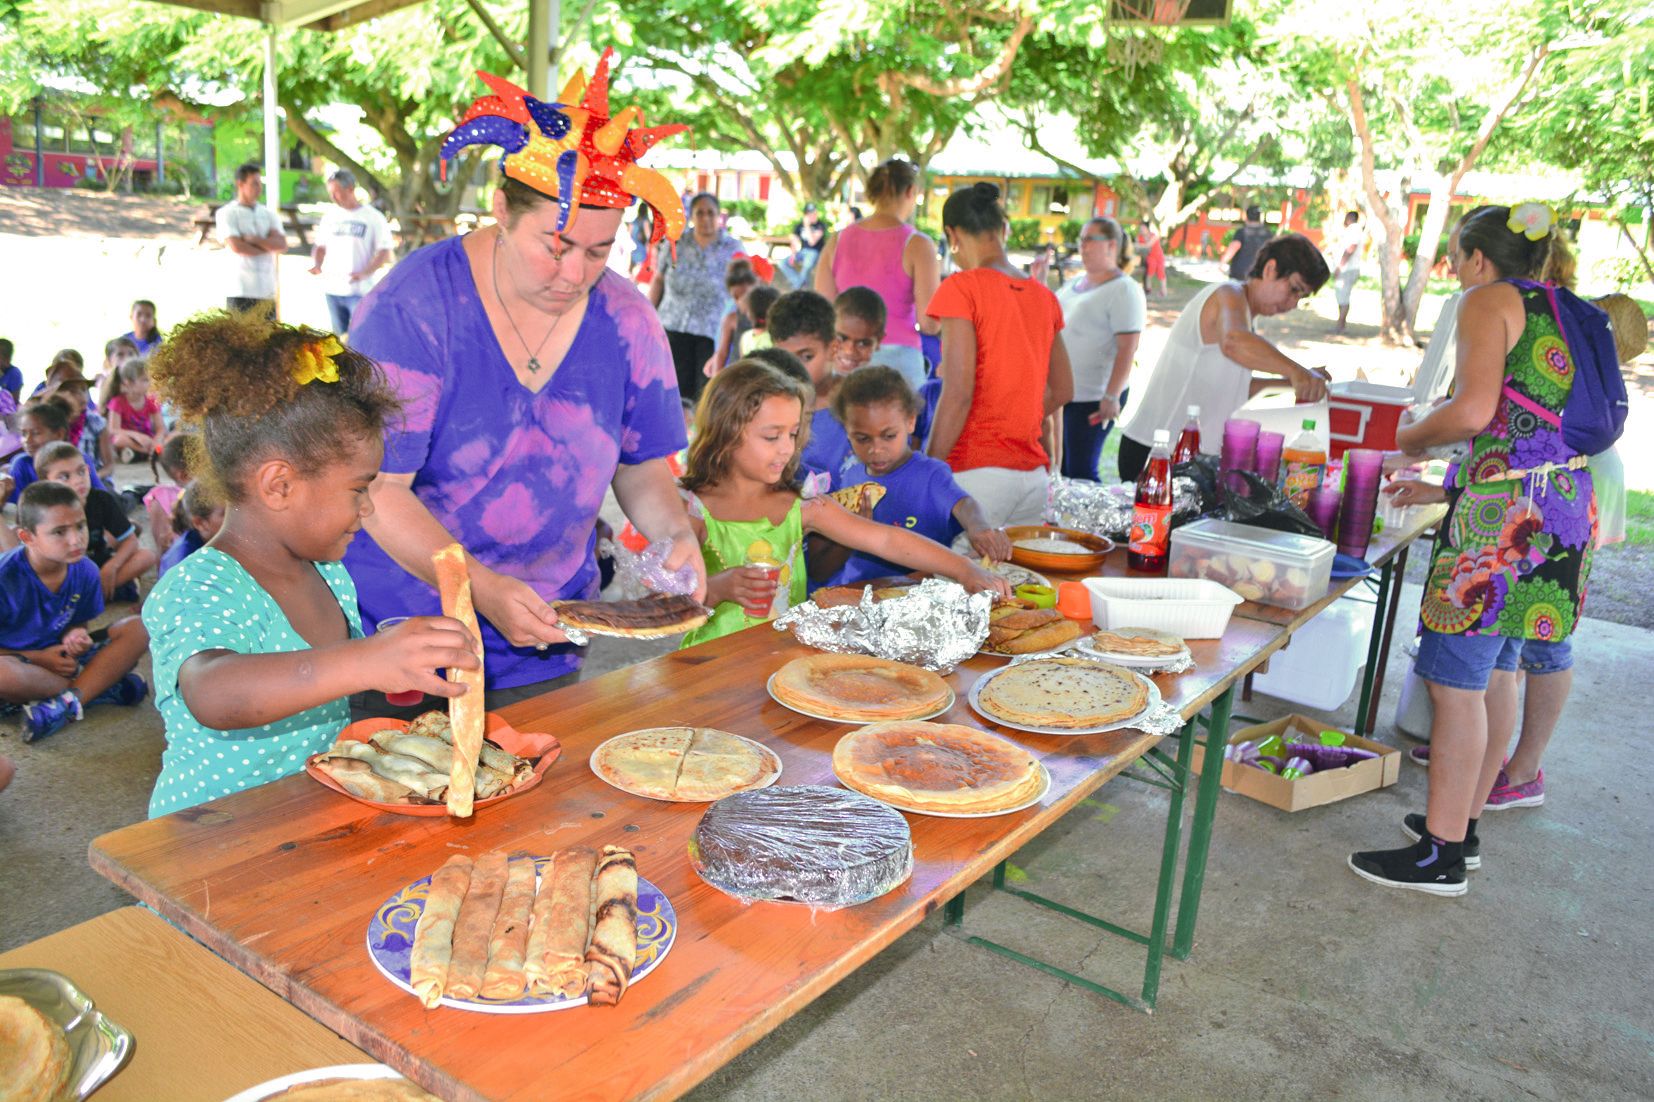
(203,1030)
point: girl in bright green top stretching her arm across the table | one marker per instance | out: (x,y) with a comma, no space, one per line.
(745,505)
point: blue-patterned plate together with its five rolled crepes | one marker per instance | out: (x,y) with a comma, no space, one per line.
(523,934)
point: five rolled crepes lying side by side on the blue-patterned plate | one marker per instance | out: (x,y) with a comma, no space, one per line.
(489,932)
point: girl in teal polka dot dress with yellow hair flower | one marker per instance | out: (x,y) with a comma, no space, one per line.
(257,640)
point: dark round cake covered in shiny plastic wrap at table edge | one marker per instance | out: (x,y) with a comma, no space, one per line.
(805,845)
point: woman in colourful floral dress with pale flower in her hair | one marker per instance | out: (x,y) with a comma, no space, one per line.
(1511,562)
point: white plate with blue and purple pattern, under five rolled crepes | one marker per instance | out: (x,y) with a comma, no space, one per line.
(391,944)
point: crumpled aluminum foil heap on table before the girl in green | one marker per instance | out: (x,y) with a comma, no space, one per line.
(937,625)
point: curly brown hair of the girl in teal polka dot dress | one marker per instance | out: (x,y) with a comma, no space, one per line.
(234,378)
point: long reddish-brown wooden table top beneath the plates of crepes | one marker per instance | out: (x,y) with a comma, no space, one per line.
(284,879)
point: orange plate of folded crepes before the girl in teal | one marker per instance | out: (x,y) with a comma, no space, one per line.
(404,767)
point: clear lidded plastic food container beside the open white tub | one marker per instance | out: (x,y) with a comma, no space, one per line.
(1258,563)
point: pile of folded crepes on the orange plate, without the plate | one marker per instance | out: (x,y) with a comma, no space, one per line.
(414,765)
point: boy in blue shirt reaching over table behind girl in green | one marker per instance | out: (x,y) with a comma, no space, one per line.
(877,410)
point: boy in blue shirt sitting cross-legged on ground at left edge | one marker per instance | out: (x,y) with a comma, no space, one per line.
(49,663)
